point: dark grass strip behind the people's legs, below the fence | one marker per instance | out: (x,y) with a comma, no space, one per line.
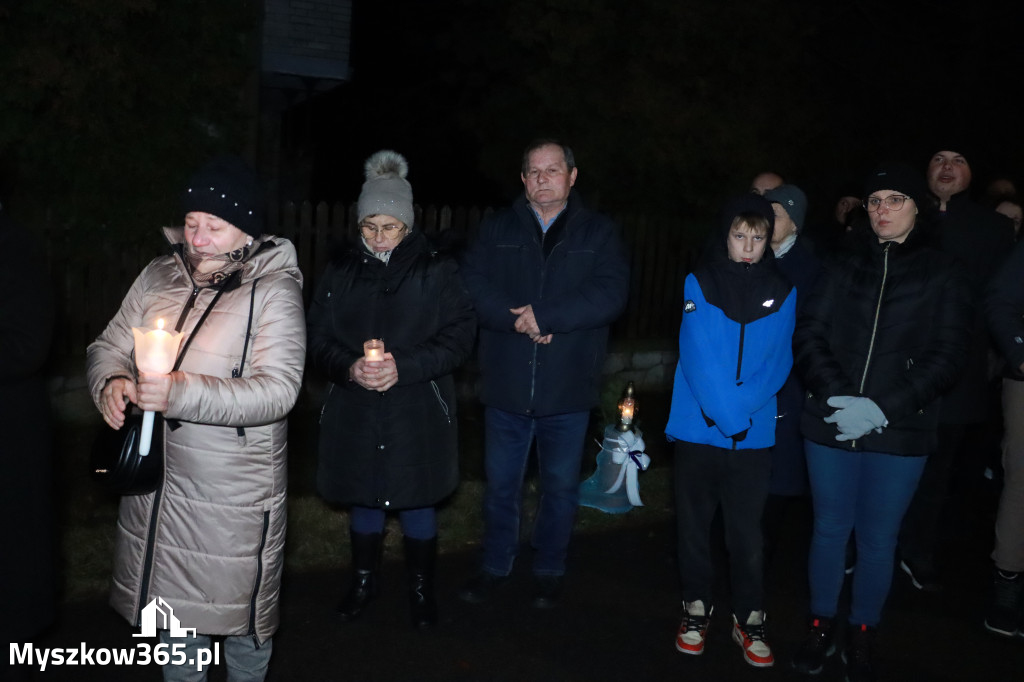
(318,534)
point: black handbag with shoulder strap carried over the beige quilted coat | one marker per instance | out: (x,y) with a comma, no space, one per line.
(116,463)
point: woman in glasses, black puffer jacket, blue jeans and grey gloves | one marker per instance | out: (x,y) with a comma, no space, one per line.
(881,338)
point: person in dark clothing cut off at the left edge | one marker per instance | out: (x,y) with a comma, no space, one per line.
(28,581)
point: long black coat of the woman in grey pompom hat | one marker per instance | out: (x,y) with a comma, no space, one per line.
(396,450)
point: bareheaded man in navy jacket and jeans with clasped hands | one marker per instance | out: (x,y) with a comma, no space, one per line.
(547,278)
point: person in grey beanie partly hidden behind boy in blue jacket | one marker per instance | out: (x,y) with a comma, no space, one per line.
(799,265)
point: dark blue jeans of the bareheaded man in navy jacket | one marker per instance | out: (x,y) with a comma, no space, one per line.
(560,454)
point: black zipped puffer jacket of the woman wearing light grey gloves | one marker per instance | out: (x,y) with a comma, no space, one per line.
(890,322)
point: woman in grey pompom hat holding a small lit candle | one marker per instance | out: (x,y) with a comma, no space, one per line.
(389,430)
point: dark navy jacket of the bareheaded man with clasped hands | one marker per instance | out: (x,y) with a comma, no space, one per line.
(577,279)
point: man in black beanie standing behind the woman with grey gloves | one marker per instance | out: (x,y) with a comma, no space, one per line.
(979,239)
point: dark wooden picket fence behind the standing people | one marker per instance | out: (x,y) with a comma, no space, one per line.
(91,283)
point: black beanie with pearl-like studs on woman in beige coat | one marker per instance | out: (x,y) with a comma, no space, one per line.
(229,189)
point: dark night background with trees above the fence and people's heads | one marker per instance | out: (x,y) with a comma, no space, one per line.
(671,105)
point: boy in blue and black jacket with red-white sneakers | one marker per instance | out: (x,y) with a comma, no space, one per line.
(735,356)
